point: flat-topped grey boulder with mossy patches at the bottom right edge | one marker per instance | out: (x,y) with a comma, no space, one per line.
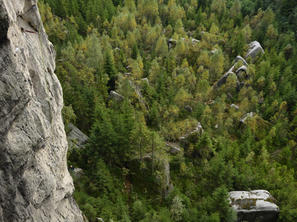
(256,205)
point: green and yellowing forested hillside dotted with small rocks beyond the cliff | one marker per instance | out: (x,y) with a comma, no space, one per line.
(169,138)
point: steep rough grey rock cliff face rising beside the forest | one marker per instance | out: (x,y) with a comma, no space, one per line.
(35,184)
